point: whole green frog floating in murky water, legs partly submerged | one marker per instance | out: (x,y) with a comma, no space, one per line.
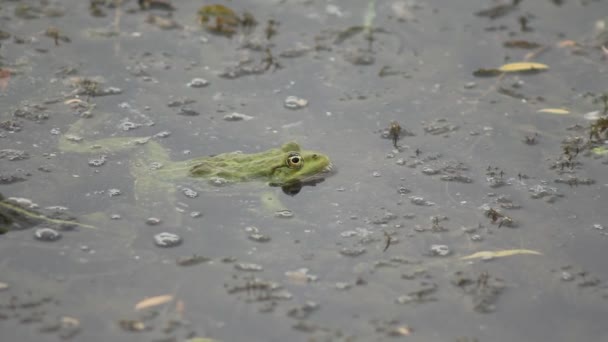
(155,175)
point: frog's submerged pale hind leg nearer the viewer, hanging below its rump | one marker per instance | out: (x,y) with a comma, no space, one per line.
(153,195)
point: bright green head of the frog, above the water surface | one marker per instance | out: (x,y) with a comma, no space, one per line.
(299,166)
